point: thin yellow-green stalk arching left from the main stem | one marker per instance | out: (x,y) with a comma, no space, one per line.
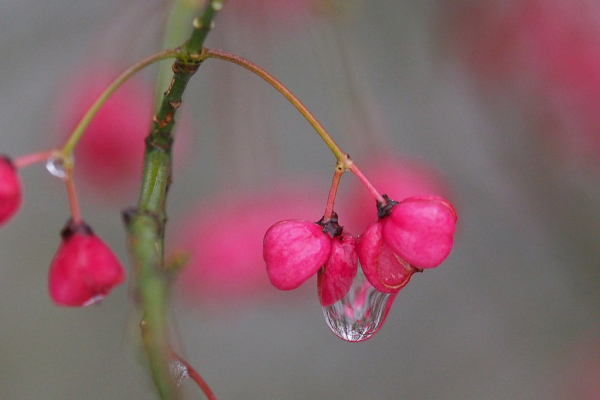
(74,137)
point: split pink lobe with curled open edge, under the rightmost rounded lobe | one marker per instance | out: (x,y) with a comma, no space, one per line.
(387,272)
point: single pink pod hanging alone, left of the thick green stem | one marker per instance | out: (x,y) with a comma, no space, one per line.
(84,269)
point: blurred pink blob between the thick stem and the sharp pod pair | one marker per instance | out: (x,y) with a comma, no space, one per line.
(224,237)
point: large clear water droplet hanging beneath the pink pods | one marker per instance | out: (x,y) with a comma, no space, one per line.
(361,313)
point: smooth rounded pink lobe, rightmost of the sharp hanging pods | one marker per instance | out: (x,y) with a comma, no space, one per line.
(420,230)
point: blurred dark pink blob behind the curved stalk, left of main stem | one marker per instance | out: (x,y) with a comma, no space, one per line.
(109,156)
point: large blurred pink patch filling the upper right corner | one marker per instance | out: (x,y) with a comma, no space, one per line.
(546,55)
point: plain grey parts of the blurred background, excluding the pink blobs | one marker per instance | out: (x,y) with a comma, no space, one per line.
(512,314)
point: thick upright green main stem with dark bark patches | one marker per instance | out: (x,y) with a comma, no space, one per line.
(146,224)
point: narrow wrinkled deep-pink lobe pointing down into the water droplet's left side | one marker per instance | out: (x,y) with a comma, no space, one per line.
(336,276)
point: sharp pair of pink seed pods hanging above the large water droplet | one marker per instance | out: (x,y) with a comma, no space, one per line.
(408,237)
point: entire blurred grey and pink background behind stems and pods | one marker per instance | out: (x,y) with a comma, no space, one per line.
(495,105)
